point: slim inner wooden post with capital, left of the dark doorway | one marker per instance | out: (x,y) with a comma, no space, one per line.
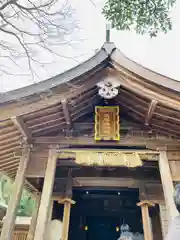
(66,217)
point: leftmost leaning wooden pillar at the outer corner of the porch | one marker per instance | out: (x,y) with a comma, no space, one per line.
(9,222)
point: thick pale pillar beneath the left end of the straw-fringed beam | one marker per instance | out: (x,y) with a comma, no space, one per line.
(46,195)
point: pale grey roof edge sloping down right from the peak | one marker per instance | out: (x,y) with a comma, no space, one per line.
(155,78)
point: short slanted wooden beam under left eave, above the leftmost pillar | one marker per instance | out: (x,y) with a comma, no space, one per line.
(21,126)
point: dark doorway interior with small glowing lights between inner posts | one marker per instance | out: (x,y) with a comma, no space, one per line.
(99,213)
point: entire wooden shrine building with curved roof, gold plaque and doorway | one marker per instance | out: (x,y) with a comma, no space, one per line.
(98,146)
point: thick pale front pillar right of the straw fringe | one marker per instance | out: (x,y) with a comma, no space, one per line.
(167,184)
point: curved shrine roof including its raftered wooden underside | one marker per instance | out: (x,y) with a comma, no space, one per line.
(47,107)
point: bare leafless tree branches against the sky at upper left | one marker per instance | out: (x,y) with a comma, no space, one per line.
(29,27)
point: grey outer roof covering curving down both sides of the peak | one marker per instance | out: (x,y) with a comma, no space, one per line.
(109,54)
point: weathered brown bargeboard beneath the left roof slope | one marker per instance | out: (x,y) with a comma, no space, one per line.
(30,105)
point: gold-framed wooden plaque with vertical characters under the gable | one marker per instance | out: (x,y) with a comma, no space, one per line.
(107,123)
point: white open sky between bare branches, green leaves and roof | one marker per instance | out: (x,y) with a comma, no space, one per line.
(161,54)
